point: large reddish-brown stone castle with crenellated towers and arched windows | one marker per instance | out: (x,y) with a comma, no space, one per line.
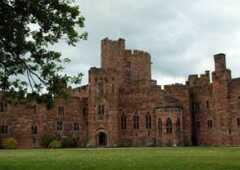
(123,106)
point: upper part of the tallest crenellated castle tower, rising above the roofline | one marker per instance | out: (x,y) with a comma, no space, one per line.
(130,64)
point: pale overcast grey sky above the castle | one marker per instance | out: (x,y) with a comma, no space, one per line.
(181,35)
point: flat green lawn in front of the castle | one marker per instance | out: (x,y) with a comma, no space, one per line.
(122,159)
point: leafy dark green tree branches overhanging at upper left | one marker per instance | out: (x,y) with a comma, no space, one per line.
(27,29)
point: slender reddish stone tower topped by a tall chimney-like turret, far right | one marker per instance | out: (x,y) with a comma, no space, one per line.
(220,88)
